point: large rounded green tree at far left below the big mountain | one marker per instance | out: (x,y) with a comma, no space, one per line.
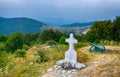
(14,42)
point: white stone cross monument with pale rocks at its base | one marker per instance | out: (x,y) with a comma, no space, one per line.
(71,55)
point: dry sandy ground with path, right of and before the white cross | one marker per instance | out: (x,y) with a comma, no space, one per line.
(98,65)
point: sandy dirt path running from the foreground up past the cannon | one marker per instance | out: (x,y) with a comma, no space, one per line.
(95,64)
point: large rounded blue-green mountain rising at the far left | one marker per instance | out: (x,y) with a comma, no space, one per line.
(23,25)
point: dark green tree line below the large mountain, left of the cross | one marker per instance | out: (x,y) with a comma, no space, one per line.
(18,40)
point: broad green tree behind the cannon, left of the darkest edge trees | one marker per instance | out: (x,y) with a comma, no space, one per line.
(99,31)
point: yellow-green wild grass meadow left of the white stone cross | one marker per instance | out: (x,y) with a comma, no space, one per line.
(27,66)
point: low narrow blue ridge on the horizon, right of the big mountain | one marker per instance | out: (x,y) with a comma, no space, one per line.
(78,24)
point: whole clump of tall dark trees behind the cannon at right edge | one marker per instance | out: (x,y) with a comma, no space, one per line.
(104,30)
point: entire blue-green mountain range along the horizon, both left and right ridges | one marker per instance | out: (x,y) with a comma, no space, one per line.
(28,25)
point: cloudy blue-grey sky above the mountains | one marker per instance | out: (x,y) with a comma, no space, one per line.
(62,11)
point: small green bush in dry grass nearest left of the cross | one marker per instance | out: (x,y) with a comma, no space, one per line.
(41,56)
